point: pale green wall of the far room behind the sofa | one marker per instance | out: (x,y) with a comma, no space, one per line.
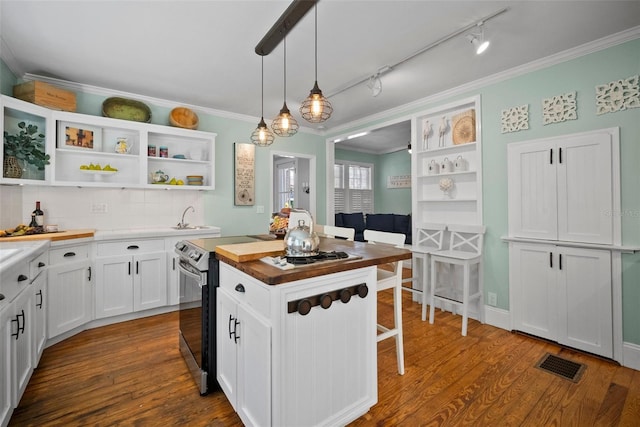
(385,200)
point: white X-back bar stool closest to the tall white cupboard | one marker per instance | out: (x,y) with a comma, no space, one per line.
(465,249)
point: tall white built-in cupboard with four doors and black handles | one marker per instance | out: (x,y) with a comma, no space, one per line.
(565,240)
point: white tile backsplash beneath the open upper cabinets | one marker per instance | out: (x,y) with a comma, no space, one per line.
(101,208)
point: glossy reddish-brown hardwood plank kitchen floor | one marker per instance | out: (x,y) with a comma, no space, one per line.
(132,374)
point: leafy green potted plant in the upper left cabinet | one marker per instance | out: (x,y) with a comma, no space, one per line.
(27,146)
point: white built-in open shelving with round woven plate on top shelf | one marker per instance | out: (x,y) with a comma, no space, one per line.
(459,144)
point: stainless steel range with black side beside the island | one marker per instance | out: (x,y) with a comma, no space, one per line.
(199,278)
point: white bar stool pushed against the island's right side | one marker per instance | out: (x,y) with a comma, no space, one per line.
(391,279)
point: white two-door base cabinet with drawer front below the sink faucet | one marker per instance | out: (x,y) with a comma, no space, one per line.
(130,276)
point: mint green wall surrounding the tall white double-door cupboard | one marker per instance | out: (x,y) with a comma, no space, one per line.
(580,75)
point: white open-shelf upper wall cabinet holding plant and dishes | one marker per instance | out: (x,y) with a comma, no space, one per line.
(97,145)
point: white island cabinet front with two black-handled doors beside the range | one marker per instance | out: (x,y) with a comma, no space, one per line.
(244,350)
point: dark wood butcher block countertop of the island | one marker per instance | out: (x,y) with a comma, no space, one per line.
(361,255)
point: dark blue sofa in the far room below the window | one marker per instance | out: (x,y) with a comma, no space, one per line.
(393,223)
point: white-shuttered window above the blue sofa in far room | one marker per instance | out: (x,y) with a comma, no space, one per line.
(353,187)
